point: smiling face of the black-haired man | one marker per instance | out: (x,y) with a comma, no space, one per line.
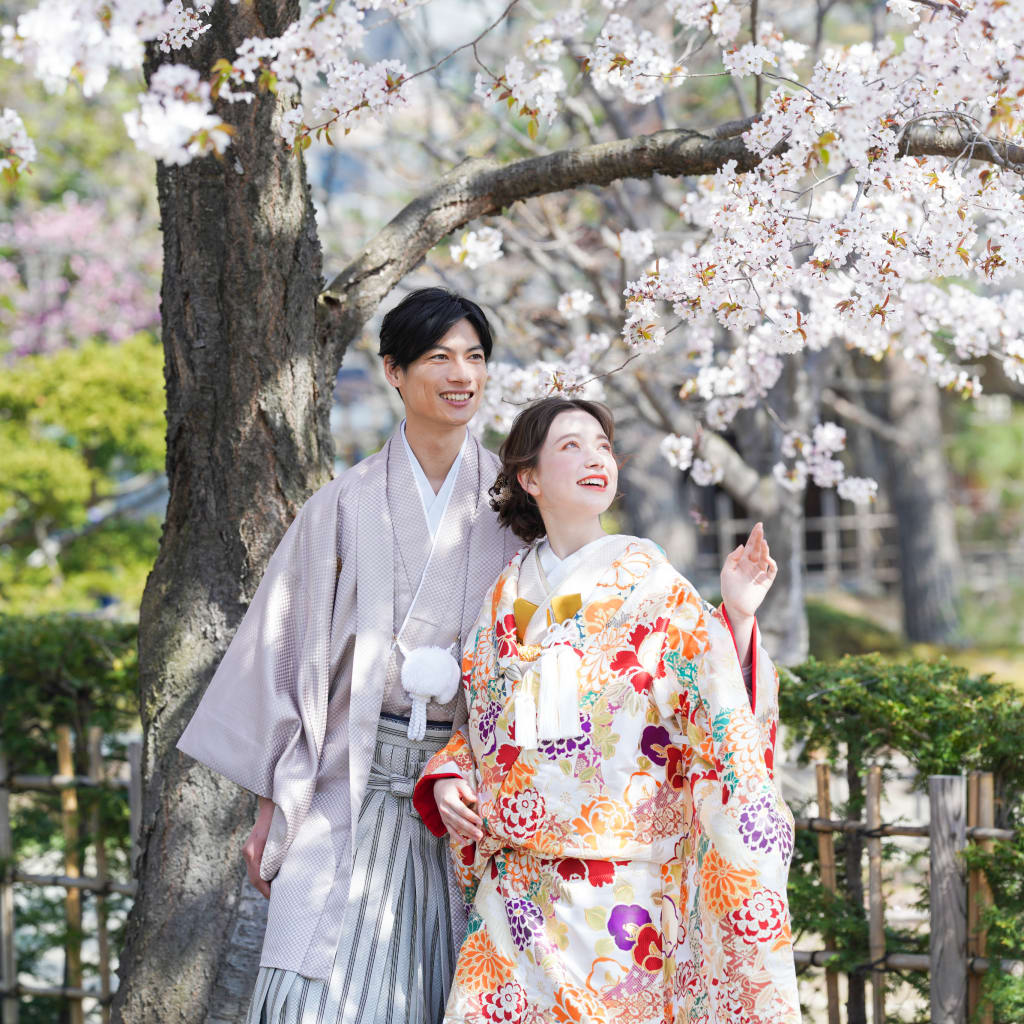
(445,386)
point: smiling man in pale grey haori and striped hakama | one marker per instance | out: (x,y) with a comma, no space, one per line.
(308,709)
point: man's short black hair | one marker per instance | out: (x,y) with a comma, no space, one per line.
(423,318)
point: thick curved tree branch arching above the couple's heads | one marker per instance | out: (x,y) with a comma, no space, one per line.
(482,188)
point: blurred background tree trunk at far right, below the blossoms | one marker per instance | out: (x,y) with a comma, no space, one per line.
(919,492)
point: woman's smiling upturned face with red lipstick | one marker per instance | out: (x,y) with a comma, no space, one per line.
(576,476)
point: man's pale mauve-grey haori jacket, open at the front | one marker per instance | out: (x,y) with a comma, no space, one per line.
(292,712)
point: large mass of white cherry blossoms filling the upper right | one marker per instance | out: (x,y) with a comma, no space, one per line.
(793,260)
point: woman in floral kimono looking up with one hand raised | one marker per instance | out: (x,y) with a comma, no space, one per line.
(628,855)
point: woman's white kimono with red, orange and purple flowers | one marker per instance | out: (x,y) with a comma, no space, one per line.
(634,873)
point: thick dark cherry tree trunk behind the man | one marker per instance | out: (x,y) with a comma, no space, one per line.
(248,401)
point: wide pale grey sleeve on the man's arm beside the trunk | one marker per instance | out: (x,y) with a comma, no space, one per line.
(263,719)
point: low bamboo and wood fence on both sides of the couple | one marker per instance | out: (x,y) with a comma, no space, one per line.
(961,810)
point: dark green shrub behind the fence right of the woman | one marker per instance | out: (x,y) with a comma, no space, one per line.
(867,710)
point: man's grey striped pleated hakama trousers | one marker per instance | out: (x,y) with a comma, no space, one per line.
(397,957)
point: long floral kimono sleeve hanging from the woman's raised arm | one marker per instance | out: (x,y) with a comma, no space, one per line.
(737,855)
